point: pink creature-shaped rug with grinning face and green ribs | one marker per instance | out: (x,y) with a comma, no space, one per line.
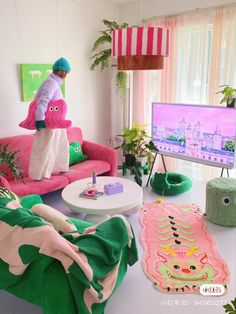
(179,253)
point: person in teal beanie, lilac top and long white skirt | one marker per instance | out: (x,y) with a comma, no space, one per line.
(50,149)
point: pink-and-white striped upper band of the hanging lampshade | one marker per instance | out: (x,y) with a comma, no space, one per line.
(137,41)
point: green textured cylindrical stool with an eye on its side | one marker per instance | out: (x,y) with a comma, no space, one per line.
(221,201)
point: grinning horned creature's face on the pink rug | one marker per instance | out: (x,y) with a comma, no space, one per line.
(178,268)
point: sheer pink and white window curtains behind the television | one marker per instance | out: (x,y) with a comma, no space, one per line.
(202,57)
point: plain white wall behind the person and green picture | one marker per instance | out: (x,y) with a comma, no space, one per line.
(40,31)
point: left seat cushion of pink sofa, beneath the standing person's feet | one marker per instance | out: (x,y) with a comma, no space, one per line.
(56,182)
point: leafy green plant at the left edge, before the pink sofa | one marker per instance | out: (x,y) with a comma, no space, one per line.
(10,160)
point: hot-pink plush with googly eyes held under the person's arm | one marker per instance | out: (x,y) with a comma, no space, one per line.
(55,116)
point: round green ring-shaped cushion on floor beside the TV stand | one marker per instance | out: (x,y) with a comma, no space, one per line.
(170,183)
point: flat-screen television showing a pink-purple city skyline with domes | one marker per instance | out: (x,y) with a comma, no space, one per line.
(204,134)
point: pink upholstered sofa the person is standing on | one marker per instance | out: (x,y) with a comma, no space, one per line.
(101,158)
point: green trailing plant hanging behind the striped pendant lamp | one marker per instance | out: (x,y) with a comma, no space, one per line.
(102,57)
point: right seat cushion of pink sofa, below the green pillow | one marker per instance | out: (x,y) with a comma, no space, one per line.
(86,168)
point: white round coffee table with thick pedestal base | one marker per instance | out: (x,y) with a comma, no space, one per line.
(97,210)
